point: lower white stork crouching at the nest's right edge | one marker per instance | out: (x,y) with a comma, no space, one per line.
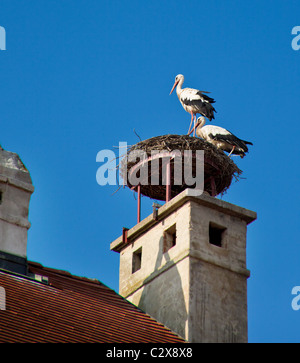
(221,138)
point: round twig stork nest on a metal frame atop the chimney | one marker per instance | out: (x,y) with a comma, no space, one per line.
(219,169)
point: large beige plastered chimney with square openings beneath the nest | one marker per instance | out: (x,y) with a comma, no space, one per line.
(187,267)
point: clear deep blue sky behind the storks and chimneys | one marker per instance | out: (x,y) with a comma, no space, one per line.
(78,76)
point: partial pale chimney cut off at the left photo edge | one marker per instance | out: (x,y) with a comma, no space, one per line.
(15,192)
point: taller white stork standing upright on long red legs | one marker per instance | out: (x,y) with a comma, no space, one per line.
(194,101)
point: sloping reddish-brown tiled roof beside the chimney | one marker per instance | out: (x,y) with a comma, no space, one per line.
(72,309)
